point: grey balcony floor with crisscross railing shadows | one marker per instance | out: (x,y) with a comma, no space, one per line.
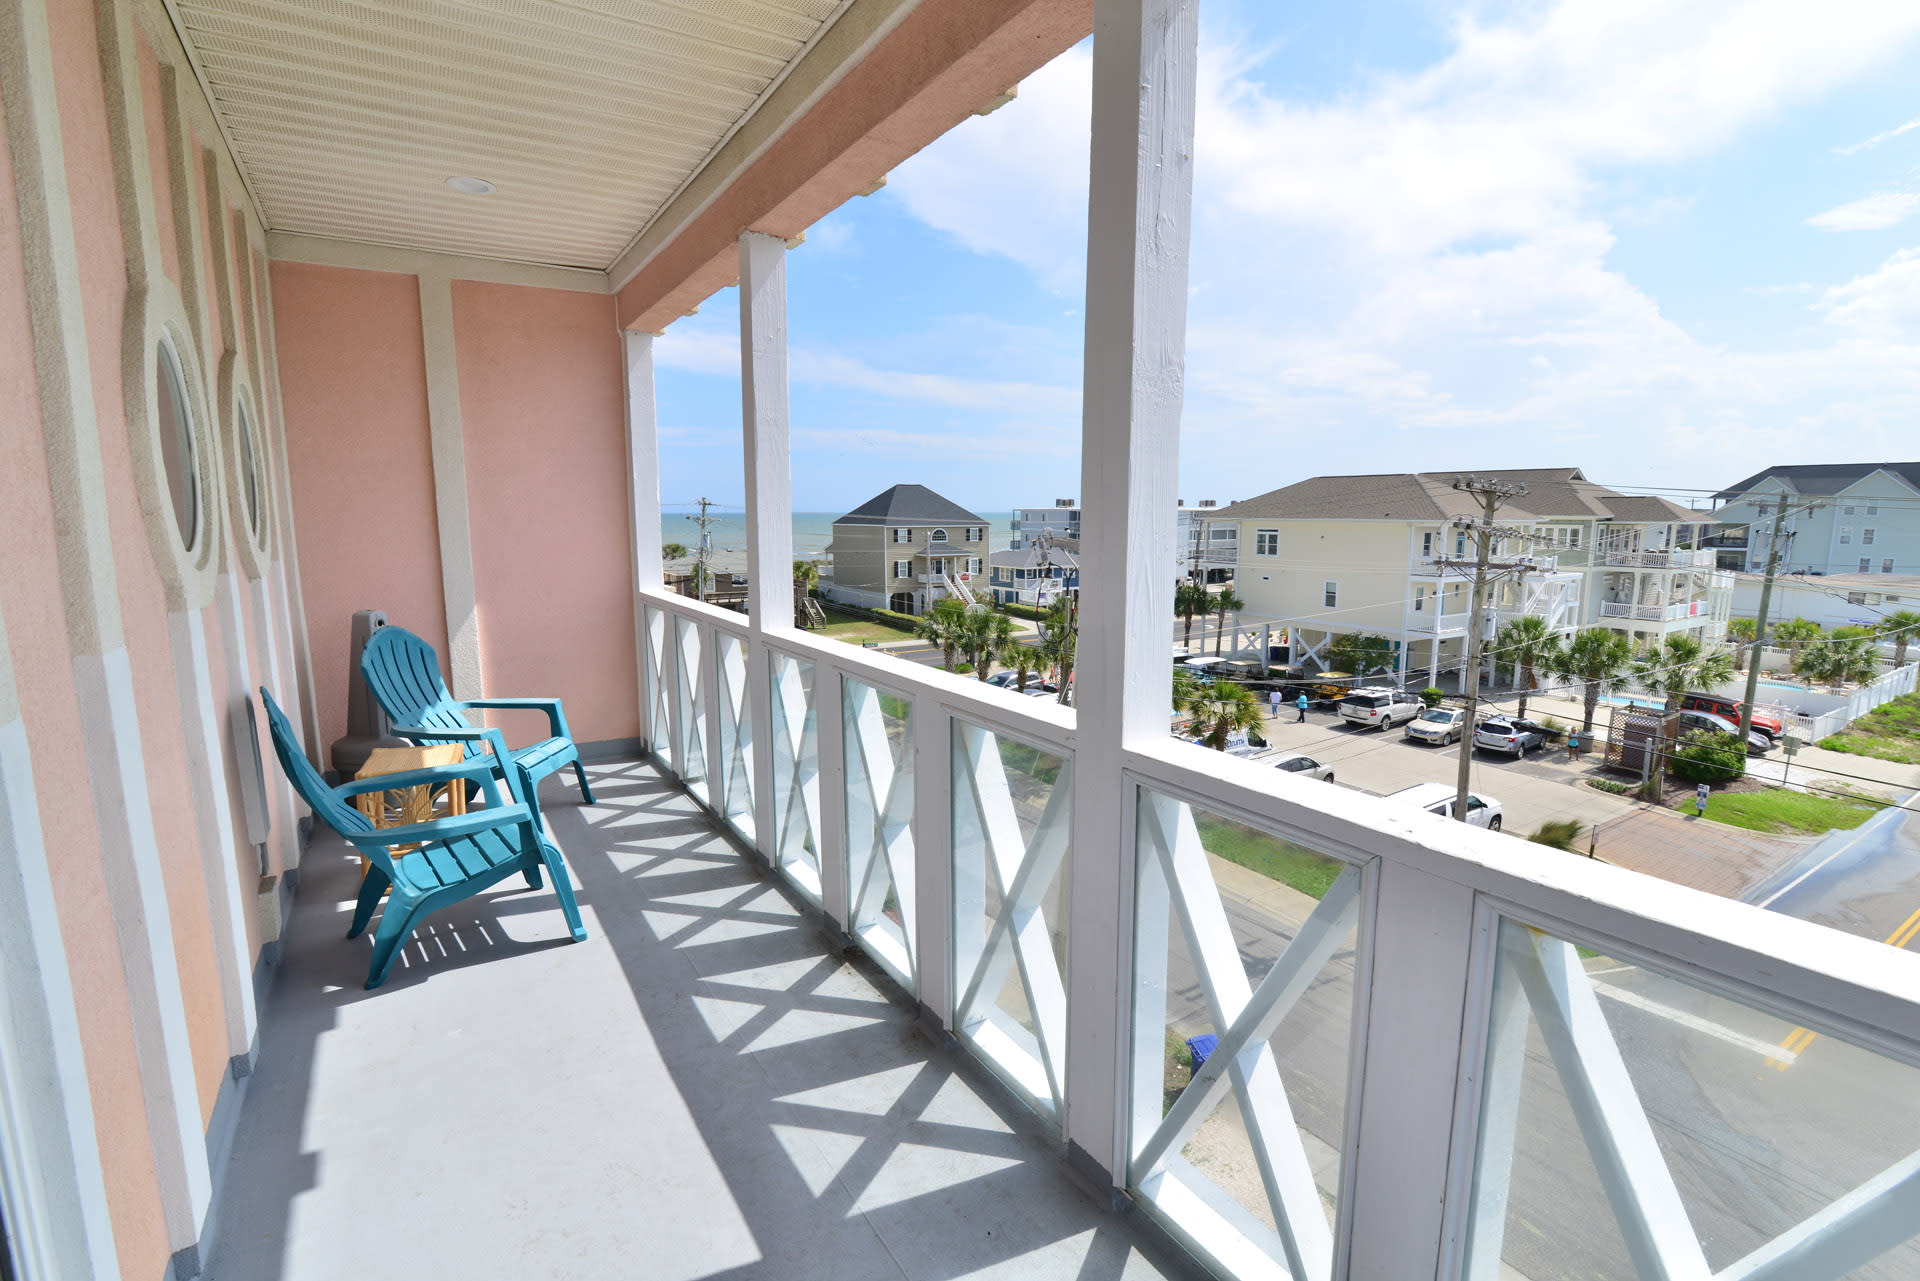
(700,1090)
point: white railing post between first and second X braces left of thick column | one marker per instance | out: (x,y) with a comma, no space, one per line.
(934,861)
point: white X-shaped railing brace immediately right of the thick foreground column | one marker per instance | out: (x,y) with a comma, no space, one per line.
(1178,884)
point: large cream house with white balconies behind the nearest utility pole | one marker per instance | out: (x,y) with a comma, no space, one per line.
(1383,556)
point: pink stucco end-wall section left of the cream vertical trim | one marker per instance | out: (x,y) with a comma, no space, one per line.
(360,458)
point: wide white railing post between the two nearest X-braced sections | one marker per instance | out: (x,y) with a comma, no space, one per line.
(1418,955)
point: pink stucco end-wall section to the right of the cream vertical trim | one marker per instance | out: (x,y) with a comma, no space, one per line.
(546,487)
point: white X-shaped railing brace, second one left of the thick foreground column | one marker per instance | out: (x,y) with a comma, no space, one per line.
(880,829)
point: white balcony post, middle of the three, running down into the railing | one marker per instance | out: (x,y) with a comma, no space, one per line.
(763,389)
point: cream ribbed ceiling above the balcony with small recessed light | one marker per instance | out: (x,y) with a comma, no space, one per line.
(348,116)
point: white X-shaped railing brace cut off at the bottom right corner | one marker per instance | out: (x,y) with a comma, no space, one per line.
(1545,977)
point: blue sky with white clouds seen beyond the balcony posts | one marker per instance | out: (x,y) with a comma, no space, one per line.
(1660,241)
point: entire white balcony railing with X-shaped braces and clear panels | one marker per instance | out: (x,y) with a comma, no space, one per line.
(1433,1034)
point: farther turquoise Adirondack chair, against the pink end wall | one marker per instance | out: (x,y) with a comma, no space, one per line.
(404,673)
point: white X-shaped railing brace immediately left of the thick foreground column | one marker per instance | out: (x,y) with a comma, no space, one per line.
(1019,871)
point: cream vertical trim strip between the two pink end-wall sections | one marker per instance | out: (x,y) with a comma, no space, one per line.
(450,485)
